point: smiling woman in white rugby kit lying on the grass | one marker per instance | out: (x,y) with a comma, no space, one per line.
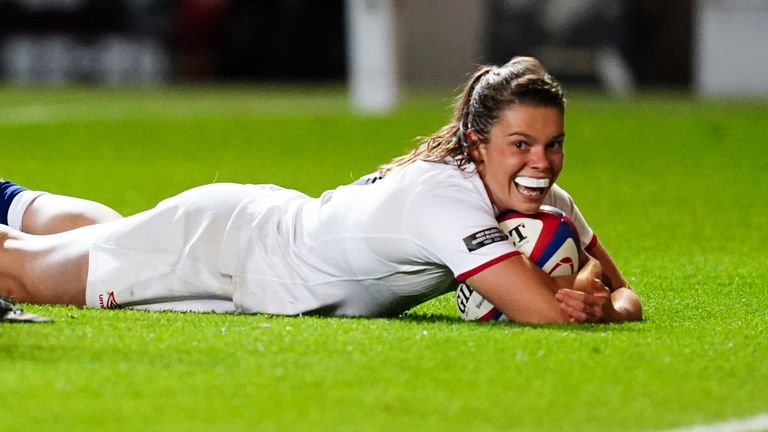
(377,247)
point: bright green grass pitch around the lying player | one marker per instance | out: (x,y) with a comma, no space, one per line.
(676,188)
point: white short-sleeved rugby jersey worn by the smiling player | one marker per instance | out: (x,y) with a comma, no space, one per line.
(374,250)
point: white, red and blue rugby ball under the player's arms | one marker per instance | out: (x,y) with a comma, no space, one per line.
(548,238)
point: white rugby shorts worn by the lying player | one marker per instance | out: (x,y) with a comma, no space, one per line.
(167,258)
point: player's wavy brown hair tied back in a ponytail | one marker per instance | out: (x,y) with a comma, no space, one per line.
(522,80)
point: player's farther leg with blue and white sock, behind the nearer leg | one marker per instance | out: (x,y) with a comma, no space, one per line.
(37,212)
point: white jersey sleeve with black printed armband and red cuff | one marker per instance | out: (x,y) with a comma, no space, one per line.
(457,228)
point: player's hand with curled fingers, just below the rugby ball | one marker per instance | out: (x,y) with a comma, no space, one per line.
(590,302)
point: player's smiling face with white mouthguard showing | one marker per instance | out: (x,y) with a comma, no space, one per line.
(522,157)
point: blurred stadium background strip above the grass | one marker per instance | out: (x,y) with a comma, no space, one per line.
(711,47)
